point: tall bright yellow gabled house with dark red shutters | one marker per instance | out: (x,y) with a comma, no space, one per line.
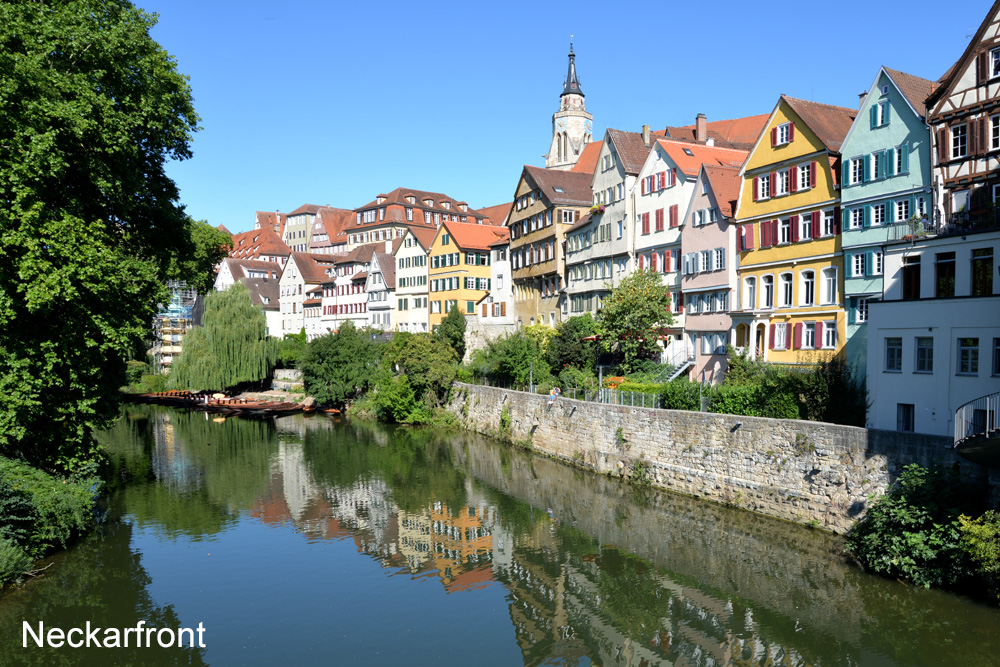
(791,279)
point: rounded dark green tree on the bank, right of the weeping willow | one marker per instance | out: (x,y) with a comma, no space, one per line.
(340,366)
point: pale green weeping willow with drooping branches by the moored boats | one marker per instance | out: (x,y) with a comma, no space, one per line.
(232,348)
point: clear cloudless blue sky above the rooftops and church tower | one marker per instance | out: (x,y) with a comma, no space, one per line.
(336,102)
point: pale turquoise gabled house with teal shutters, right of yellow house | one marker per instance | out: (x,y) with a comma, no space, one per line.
(885,190)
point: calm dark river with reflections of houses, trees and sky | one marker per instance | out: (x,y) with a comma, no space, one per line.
(304,541)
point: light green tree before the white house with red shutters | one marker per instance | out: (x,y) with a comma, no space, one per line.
(633,315)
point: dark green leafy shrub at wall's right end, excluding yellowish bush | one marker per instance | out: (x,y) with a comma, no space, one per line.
(913,531)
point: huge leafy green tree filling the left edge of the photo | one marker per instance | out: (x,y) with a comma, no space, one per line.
(91,108)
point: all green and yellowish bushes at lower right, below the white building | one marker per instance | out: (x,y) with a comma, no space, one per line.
(931,529)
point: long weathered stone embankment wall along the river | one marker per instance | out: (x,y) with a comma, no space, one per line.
(806,472)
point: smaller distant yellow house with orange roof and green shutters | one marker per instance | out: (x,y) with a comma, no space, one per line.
(459,274)
